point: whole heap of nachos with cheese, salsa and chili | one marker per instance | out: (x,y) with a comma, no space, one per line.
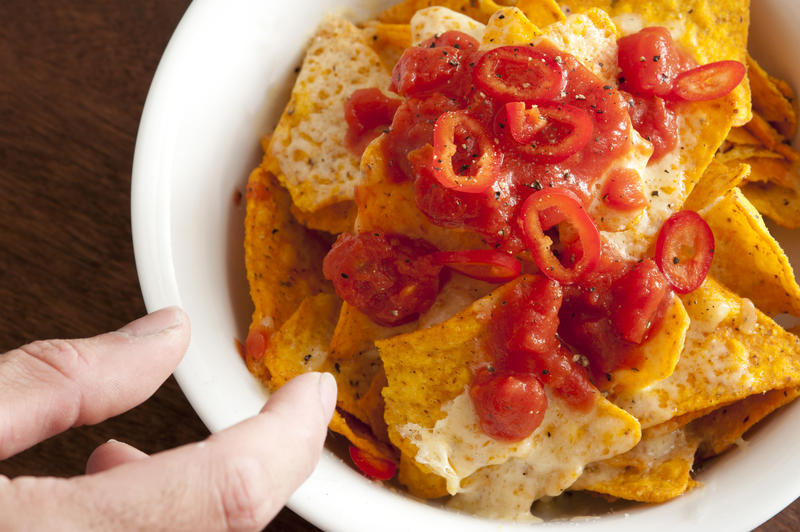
(433,371)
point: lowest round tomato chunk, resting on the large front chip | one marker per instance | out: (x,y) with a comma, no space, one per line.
(509,406)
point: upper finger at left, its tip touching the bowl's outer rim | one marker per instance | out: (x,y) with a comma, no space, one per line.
(49,386)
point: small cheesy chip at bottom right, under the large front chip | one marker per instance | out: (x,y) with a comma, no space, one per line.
(656,470)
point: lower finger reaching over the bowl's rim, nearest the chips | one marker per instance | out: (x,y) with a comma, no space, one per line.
(237,479)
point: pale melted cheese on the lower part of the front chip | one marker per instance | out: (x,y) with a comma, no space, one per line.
(502,479)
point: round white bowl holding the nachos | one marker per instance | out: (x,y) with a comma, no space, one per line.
(221,84)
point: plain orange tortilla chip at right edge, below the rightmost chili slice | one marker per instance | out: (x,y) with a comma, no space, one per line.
(747,259)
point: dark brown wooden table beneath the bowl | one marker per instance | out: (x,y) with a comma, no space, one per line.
(76,75)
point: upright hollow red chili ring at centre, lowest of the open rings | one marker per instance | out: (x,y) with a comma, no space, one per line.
(588,237)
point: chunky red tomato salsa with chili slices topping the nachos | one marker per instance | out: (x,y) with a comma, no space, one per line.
(515,143)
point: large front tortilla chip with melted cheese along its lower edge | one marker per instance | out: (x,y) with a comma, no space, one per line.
(428,372)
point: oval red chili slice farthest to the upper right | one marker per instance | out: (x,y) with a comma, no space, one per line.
(708,82)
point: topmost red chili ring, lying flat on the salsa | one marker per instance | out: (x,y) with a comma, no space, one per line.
(514,73)
